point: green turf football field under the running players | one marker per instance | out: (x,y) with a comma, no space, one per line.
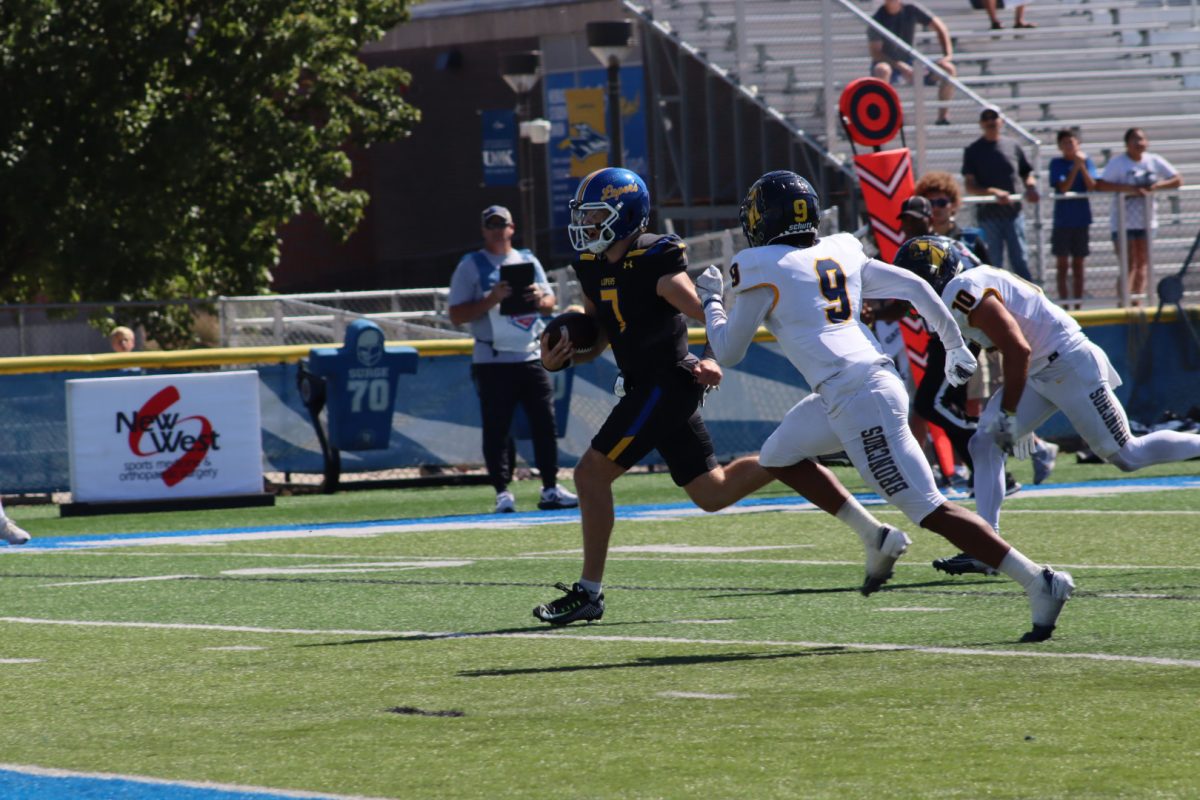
(741,663)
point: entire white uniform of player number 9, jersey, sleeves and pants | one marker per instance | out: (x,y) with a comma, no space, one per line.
(811,299)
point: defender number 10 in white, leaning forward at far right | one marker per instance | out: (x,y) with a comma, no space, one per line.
(1049,365)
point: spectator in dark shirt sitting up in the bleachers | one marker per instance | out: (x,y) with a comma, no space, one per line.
(895,65)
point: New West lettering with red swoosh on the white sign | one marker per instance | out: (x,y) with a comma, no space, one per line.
(153,432)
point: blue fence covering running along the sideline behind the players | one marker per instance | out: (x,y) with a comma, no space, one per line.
(441,424)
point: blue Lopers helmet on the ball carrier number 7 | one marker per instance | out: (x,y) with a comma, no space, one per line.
(610,204)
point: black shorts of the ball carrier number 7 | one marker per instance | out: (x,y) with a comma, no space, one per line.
(661,416)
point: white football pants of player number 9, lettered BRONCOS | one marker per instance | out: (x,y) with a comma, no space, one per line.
(872,425)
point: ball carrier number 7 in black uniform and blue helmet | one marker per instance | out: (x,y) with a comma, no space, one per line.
(637,287)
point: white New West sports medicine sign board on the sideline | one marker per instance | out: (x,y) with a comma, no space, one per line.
(165,437)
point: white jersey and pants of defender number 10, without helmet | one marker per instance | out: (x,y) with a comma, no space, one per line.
(1067,374)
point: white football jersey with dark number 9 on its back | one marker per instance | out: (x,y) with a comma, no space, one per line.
(818,294)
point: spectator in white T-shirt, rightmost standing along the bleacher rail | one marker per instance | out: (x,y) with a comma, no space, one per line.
(1138,175)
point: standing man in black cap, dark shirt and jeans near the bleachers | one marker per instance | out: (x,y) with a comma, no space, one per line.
(995,166)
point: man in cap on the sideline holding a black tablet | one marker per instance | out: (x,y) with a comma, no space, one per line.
(506,364)
